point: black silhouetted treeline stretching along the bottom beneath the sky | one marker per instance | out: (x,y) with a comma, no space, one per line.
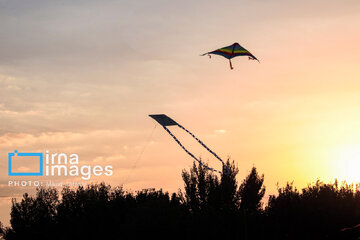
(209,206)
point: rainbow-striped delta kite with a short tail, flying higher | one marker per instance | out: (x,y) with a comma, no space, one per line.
(232,51)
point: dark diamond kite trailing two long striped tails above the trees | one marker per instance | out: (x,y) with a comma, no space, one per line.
(166,121)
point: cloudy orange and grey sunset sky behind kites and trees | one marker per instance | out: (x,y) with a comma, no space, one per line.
(82,76)
